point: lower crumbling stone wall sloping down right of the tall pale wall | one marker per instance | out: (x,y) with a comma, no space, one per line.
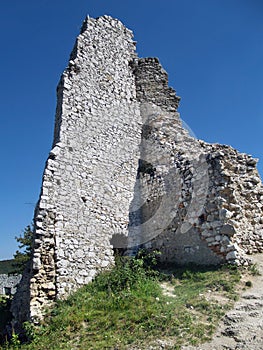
(195,202)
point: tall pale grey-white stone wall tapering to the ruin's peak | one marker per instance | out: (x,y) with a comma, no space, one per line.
(92,167)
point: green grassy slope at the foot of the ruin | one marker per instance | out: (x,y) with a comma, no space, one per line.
(126,307)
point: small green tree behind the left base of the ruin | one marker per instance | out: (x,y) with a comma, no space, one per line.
(22,255)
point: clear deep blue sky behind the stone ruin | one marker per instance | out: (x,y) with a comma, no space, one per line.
(211,49)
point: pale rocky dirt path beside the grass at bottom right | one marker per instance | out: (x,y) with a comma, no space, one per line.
(242,327)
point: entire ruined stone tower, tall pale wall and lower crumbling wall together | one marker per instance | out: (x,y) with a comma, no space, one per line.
(123,173)
